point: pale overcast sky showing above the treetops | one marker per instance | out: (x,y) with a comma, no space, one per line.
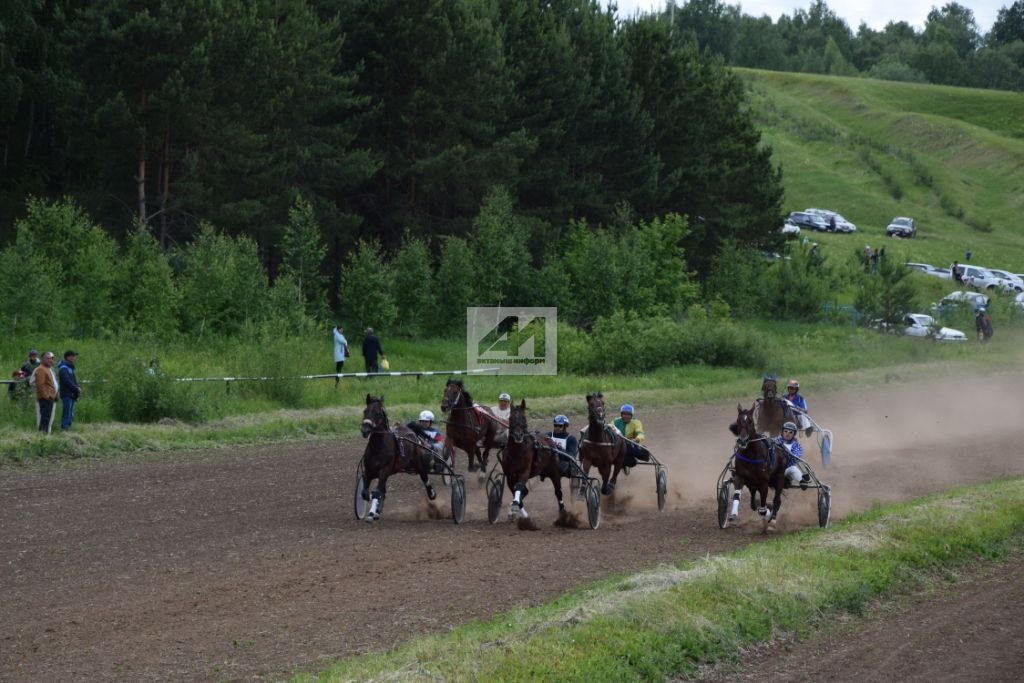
(875,14)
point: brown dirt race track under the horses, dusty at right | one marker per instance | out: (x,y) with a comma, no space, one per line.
(249,564)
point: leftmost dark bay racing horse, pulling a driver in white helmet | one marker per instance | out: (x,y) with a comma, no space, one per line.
(390,450)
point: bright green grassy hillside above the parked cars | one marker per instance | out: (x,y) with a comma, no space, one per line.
(951,158)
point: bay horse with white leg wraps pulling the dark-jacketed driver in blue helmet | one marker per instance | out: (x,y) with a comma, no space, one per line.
(528,455)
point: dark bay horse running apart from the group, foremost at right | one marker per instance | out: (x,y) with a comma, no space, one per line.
(759,465)
